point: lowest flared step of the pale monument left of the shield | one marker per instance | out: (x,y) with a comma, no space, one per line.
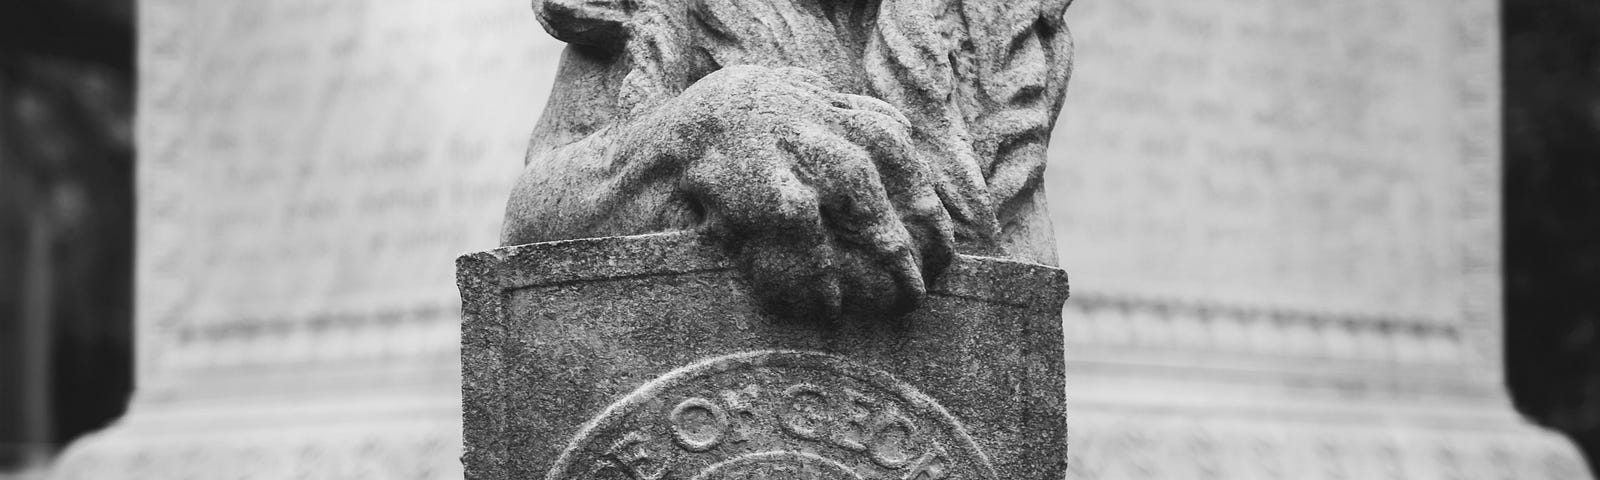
(372,436)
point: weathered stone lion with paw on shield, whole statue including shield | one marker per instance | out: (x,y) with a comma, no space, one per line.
(831,159)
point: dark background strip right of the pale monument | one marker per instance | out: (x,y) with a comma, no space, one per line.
(1553,215)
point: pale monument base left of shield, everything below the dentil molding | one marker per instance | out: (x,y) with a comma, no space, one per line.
(321,420)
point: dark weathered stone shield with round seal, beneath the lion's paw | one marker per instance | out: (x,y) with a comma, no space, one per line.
(638,356)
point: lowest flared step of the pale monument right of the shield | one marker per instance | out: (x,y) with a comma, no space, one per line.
(1111,442)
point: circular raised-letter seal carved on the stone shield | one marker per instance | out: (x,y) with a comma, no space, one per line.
(774,415)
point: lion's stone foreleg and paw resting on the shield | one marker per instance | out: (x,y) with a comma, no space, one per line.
(817,194)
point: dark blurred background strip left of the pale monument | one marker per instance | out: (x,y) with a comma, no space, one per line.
(66,222)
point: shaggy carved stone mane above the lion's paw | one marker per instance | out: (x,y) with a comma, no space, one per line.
(990,73)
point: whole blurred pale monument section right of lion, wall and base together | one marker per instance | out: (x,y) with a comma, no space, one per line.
(1284,230)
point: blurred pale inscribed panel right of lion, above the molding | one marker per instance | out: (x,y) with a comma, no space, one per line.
(1289,156)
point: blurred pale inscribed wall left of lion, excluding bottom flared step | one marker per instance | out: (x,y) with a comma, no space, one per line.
(313,169)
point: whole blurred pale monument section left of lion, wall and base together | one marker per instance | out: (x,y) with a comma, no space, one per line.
(308,175)
